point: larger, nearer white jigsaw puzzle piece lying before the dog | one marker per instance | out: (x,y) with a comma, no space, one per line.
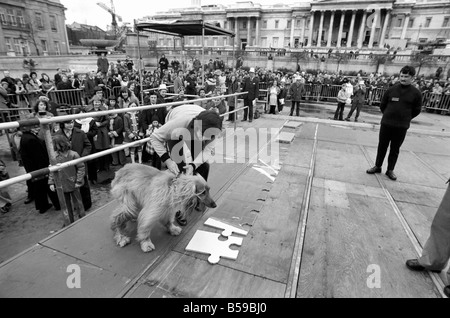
(209,243)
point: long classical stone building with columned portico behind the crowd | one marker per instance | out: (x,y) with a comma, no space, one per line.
(318,24)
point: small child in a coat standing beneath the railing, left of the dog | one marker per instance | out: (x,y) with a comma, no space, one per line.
(72,178)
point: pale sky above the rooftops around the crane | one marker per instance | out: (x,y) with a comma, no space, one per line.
(88,12)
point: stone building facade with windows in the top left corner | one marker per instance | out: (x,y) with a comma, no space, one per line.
(32,27)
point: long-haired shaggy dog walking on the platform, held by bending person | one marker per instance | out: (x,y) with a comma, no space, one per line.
(148,195)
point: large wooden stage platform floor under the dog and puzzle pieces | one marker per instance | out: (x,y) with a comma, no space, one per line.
(319,226)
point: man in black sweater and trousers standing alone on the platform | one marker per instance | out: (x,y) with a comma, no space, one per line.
(399,105)
